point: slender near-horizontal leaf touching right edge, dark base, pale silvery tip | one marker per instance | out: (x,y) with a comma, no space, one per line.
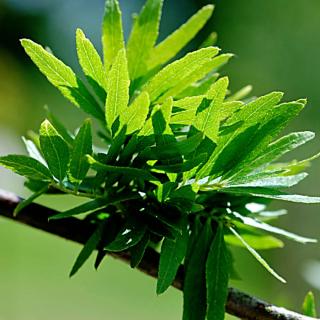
(269,193)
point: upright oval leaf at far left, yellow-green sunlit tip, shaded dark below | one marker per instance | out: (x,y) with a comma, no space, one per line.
(54,149)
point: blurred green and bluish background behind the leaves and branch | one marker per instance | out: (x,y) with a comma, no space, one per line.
(277,47)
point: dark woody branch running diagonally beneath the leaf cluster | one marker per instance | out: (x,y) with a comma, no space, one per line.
(239,304)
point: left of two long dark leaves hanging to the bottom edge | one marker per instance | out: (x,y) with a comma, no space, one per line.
(194,290)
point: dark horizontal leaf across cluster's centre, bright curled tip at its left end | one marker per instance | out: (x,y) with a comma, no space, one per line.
(131,172)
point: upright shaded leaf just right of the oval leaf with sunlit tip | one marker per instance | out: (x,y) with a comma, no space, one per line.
(82,146)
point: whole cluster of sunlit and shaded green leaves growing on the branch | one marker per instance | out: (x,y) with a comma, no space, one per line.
(186,165)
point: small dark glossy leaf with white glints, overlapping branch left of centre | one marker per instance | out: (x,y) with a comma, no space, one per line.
(127,237)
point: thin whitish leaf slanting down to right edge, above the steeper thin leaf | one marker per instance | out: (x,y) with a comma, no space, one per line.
(267,227)
